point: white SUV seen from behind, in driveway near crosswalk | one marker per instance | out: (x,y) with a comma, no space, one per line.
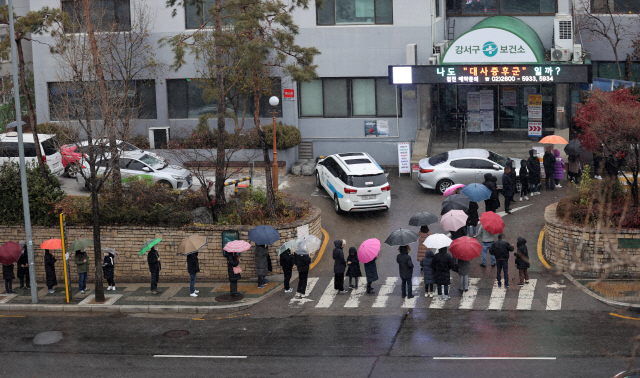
(355,182)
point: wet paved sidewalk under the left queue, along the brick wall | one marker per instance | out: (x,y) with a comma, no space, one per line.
(137,298)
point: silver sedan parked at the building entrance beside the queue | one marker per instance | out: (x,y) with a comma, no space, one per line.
(464,166)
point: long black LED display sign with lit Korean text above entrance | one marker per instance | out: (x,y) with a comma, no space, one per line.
(491,74)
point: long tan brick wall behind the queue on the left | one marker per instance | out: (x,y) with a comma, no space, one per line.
(128,241)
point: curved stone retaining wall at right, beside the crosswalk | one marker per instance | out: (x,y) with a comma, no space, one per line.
(561,238)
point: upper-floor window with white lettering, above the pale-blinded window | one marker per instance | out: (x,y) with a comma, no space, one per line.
(337,12)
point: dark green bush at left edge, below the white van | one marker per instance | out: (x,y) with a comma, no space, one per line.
(43,197)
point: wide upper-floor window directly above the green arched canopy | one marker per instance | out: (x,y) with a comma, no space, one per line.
(510,7)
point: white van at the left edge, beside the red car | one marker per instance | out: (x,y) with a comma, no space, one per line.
(49,147)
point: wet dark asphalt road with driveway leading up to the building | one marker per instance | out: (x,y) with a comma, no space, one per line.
(349,334)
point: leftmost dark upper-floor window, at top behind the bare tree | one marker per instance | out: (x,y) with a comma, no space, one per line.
(106,15)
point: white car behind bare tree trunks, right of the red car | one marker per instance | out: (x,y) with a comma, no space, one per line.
(140,165)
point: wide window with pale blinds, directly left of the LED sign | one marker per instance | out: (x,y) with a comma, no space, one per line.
(344,98)
